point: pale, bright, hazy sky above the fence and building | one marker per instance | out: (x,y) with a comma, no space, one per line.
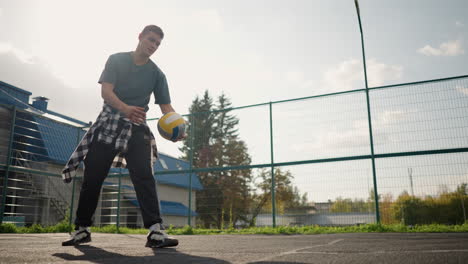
(252,51)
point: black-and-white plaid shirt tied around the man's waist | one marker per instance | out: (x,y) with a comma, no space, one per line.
(108,123)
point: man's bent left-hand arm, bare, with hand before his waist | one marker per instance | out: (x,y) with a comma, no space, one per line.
(134,113)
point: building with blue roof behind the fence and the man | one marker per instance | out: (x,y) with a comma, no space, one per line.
(43,142)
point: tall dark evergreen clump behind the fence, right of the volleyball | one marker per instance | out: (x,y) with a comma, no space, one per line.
(226,195)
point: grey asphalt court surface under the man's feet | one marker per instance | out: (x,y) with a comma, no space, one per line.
(332,248)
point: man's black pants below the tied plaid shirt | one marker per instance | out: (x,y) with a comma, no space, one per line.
(97,164)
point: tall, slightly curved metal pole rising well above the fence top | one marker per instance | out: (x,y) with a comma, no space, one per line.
(376,195)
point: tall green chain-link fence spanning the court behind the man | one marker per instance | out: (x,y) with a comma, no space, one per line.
(333,162)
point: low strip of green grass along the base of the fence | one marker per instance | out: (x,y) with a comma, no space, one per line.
(281,230)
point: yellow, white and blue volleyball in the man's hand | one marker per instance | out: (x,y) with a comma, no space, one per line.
(171,126)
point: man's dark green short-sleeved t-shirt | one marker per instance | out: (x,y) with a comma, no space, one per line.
(133,84)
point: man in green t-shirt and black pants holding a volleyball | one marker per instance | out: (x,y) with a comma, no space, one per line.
(120,134)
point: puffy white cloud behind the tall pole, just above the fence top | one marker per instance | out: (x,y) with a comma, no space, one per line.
(345,75)
